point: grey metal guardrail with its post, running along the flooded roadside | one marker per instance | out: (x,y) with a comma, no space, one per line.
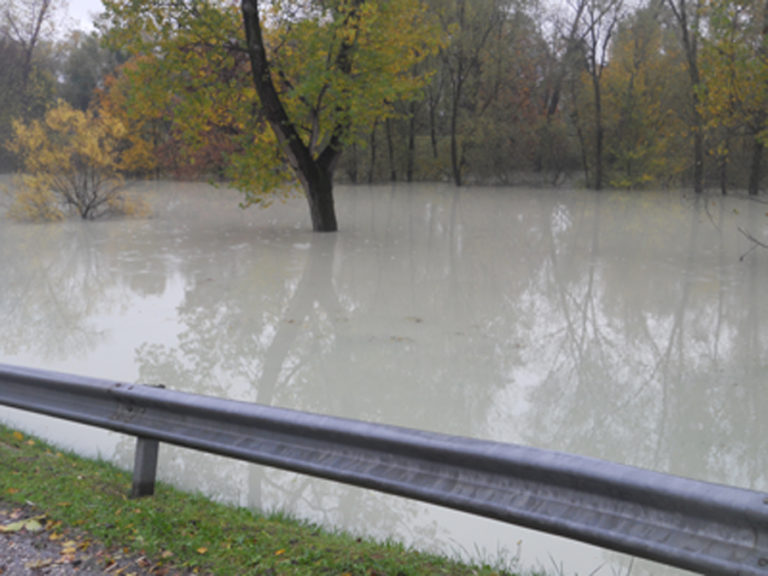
(707,528)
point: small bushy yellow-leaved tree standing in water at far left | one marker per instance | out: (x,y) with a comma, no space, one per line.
(72,161)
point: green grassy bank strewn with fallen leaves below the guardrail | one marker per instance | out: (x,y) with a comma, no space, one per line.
(188,533)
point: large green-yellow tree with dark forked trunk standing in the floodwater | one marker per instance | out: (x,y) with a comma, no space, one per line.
(290,84)
